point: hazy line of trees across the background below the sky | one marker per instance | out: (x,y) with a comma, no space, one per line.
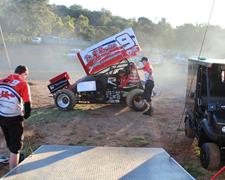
(23,19)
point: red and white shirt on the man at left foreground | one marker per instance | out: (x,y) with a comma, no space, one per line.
(14,92)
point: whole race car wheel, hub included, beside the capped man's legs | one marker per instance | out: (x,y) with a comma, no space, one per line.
(135,100)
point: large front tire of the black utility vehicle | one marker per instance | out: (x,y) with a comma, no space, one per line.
(210,156)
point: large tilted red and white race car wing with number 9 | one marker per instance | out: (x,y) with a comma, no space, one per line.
(109,51)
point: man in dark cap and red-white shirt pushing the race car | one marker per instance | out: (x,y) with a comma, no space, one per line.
(149,84)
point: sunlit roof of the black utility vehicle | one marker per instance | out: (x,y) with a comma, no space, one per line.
(208,62)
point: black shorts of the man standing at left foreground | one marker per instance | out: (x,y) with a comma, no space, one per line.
(12,128)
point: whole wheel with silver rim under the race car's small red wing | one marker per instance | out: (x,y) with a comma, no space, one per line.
(65,99)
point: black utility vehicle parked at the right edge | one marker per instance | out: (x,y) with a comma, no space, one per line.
(205,108)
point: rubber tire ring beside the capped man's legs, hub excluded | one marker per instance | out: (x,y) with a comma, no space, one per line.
(130,99)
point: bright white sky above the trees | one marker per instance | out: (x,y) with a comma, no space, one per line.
(176,12)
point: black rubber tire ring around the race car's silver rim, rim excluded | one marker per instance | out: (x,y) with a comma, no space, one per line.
(71,96)
